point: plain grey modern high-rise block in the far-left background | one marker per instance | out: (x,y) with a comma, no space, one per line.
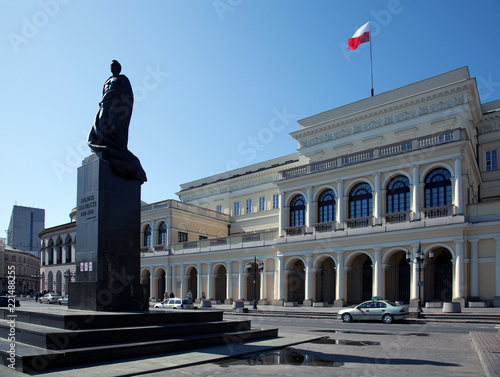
(25,224)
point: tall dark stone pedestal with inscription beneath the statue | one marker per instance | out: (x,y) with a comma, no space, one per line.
(107,250)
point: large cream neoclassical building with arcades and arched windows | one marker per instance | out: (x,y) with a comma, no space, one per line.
(373,185)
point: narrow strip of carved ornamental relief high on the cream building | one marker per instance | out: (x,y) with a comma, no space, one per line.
(381,122)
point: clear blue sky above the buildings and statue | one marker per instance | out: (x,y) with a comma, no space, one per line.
(209,76)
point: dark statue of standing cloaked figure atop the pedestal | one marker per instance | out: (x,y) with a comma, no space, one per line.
(109,134)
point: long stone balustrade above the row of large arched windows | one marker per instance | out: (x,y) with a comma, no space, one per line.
(375,153)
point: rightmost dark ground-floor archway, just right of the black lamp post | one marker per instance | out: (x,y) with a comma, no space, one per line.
(438,277)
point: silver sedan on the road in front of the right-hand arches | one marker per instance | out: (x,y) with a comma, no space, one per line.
(374,310)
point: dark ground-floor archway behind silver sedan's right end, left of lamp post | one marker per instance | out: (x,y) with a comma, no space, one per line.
(397,278)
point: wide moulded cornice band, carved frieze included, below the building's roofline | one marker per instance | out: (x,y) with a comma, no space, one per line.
(337,128)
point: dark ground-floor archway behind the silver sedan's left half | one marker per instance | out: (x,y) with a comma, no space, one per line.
(360,280)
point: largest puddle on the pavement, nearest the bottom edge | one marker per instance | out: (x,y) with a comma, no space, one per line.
(285,356)
